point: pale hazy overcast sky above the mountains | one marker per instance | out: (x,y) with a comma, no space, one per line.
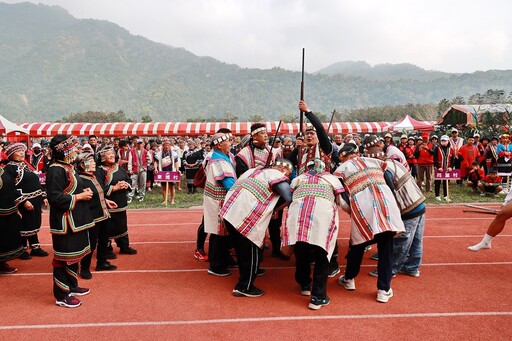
(444,35)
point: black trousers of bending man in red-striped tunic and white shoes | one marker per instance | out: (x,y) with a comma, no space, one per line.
(355,254)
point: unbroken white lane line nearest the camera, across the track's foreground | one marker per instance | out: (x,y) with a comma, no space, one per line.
(259,319)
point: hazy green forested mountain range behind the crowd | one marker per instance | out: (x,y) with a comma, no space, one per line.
(52,64)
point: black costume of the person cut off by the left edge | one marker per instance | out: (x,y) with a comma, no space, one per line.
(10,239)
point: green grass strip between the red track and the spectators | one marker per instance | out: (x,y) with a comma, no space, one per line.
(154,199)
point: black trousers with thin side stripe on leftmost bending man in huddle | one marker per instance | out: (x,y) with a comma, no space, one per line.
(248,257)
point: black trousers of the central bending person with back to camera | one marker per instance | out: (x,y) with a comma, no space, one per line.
(303,253)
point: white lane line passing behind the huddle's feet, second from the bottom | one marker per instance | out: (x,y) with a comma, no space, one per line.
(267,268)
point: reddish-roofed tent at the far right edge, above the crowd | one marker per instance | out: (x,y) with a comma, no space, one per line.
(472,114)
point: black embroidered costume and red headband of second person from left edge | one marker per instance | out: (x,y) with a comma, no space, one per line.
(27,183)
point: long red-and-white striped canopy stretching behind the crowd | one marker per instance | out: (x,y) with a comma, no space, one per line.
(47,129)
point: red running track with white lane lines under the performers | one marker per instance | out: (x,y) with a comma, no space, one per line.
(163,292)
